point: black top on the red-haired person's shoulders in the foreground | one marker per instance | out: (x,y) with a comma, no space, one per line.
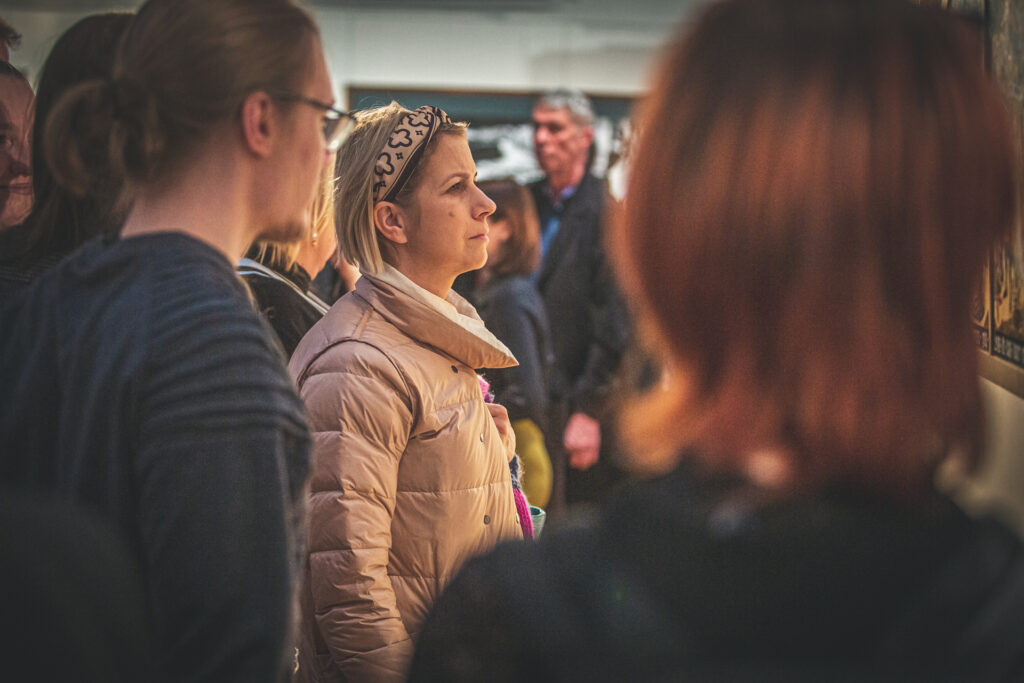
(691,579)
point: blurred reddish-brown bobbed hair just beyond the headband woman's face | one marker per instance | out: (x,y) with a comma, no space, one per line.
(522,252)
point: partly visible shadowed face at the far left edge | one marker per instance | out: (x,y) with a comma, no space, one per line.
(16,159)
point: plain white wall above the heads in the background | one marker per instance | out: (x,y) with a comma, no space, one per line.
(604,47)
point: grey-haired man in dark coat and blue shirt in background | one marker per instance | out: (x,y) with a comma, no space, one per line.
(589,324)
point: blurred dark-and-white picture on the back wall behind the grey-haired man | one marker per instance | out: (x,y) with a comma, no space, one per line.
(501,135)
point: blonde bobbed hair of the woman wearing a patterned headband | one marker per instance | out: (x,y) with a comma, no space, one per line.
(359,241)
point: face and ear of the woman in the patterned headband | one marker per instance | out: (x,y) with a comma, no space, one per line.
(448,223)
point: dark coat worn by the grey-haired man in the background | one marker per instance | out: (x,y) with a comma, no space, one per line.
(589,324)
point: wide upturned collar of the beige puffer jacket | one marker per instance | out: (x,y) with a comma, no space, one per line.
(452,326)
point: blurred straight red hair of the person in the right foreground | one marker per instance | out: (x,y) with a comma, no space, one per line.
(810,207)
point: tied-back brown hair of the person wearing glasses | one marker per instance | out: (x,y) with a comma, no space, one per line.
(183,68)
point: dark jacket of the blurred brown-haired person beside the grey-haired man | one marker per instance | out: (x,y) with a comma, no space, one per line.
(514,311)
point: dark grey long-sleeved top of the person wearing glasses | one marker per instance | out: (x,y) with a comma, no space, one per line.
(139,381)
